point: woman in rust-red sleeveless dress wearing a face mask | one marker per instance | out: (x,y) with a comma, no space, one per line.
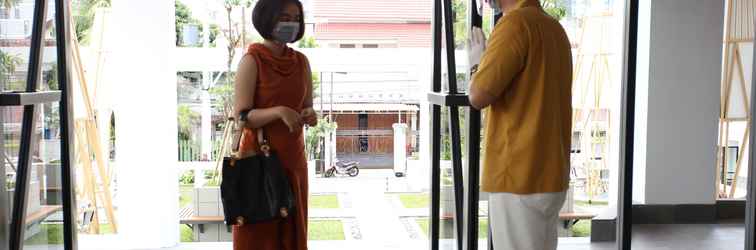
(274,84)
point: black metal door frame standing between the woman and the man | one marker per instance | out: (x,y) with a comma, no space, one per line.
(466,203)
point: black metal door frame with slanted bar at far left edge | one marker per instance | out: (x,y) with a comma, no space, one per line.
(13,237)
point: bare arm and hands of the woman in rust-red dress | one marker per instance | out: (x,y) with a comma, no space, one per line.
(244,87)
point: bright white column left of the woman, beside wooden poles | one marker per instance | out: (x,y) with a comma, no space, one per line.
(145,87)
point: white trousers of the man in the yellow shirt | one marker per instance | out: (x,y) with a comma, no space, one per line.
(525,222)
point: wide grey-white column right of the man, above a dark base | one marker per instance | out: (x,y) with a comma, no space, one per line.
(678,96)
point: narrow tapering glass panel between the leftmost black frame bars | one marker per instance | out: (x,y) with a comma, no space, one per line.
(44,217)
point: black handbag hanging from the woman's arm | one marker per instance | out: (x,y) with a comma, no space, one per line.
(254,187)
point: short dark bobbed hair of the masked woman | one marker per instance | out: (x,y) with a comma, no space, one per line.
(265,17)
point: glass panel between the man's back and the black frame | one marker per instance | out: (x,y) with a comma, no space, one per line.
(595,30)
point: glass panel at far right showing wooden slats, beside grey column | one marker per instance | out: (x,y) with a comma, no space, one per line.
(736,78)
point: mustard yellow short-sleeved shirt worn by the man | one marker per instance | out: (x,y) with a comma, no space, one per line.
(528,67)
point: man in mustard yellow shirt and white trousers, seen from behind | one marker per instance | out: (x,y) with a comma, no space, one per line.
(524,81)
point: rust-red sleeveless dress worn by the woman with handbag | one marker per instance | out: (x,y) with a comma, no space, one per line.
(280,82)
